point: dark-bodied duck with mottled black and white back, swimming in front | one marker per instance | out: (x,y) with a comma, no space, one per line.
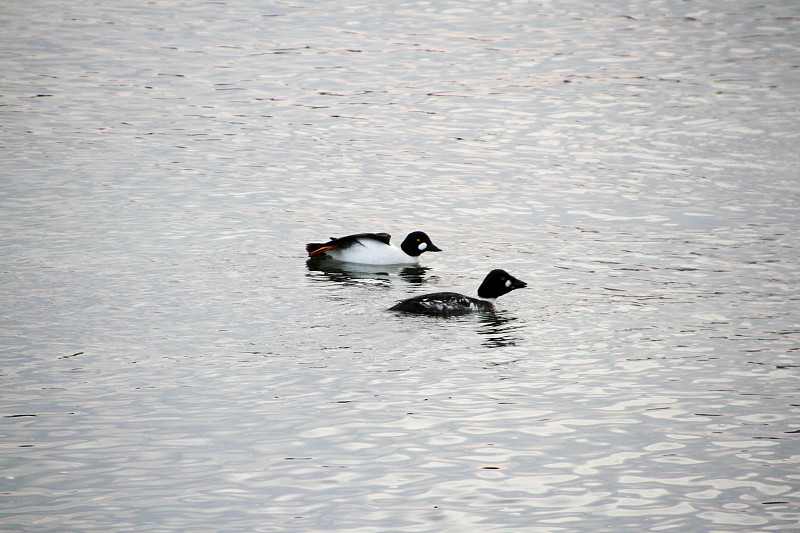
(497,283)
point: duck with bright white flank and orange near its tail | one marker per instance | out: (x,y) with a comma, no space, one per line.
(374,249)
